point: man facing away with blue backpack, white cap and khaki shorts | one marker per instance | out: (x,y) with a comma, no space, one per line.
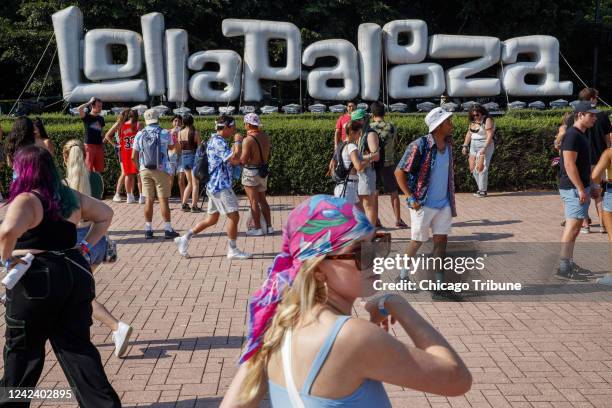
(150,152)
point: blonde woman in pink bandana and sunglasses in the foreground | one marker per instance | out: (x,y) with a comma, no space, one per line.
(304,346)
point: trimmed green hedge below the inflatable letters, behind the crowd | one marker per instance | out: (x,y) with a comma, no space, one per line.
(303,145)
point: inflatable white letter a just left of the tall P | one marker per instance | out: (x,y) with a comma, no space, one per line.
(200,85)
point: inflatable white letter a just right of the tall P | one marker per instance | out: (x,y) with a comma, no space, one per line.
(346,54)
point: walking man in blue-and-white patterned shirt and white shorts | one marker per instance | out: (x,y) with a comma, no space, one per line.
(219,161)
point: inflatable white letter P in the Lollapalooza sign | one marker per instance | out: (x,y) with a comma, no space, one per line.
(257,35)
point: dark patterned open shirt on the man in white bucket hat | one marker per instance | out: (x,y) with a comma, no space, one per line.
(419,157)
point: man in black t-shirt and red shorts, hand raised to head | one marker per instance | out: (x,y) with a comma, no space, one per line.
(93,123)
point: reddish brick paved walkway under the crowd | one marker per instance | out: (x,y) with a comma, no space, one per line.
(189,315)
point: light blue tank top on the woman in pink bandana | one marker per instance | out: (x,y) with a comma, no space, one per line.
(369,394)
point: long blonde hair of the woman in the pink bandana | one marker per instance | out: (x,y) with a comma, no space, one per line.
(298,301)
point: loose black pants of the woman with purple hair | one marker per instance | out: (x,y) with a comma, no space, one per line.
(52,301)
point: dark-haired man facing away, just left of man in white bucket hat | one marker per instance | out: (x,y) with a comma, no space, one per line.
(385,167)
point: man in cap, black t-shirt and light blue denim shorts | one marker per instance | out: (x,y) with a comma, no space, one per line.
(574,186)
